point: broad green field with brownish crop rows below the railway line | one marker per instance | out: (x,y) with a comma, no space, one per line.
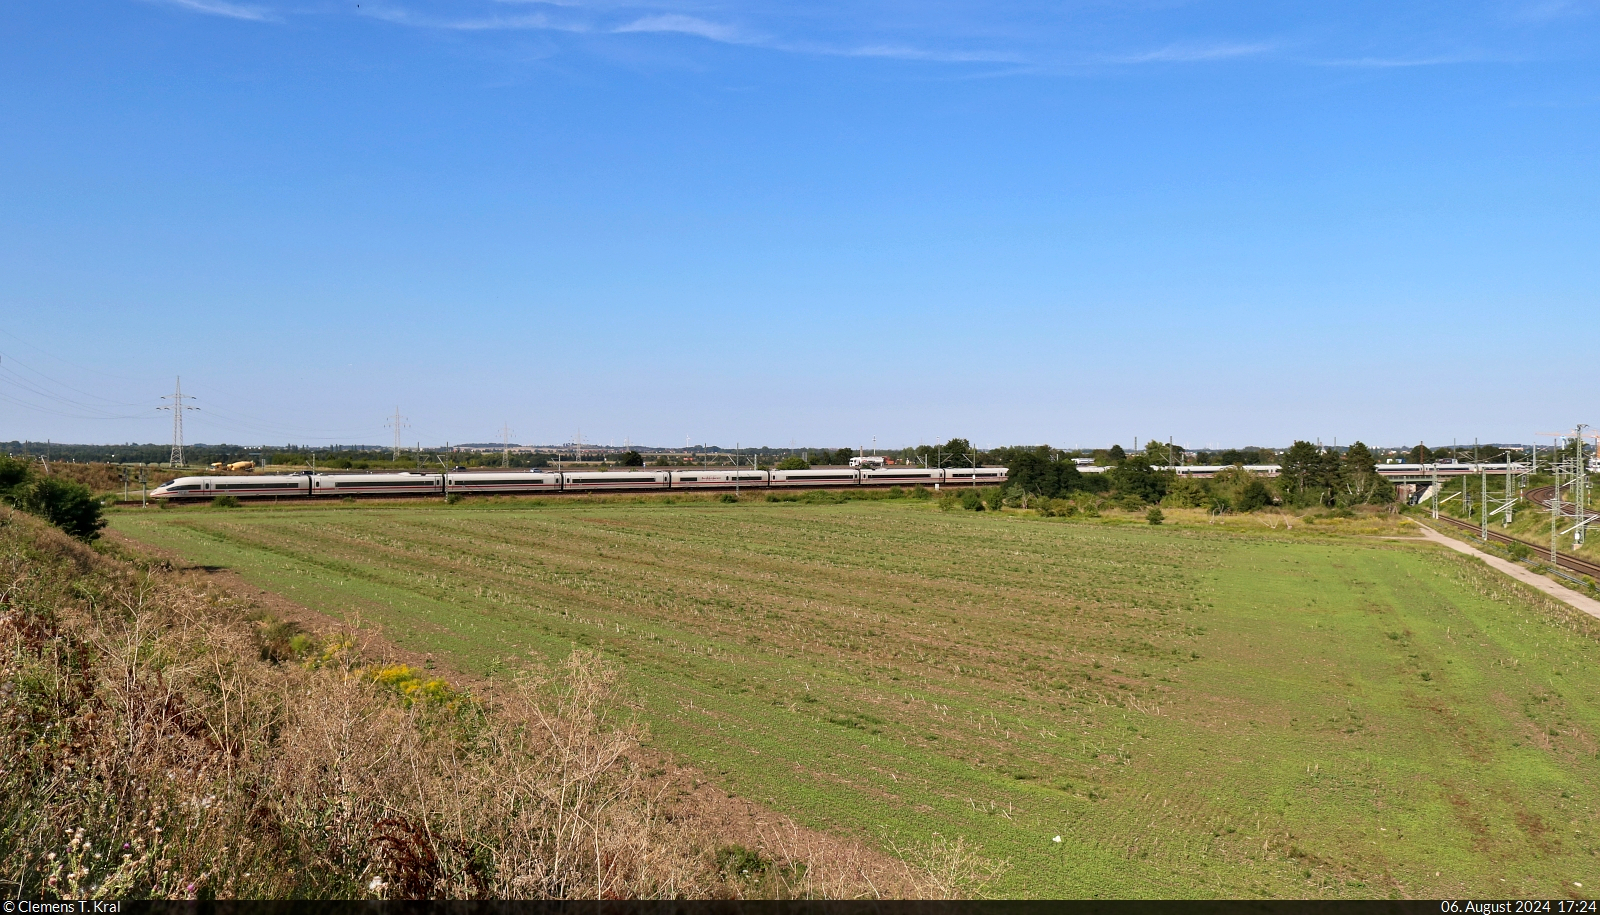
(1193,711)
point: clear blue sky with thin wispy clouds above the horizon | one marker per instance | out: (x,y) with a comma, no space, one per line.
(1076,223)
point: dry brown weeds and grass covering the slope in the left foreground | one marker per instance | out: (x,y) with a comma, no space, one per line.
(161,738)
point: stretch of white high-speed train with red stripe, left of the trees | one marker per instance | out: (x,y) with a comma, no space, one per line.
(537,482)
